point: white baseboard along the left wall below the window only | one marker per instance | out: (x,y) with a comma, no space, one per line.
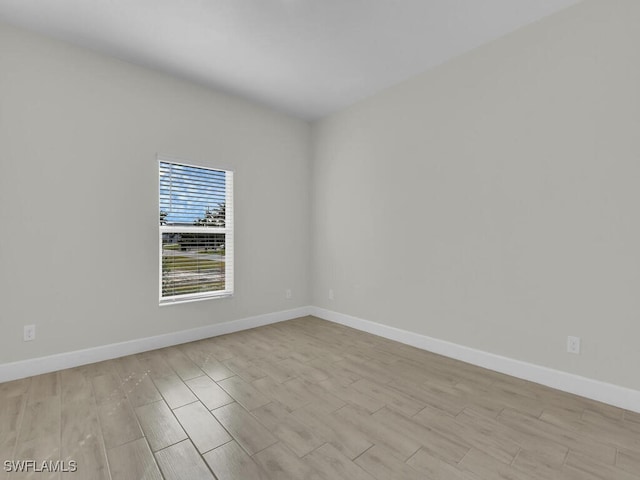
(51,363)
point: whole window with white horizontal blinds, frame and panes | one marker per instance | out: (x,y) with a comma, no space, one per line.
(196,232)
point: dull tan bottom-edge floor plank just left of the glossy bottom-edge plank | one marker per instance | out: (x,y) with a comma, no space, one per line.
(133,461)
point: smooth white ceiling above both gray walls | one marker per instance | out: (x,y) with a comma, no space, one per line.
(305,57)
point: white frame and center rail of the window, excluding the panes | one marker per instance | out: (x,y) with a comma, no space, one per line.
(227,230)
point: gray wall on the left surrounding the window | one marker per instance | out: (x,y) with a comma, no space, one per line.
(79,134)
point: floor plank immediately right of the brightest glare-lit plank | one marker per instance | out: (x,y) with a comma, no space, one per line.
(244,428)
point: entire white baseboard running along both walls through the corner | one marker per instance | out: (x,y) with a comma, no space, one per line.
(594,389)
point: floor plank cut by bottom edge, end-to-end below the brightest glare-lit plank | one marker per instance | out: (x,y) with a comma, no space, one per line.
(231,462)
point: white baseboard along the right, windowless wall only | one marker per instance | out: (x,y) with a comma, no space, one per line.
(585,387)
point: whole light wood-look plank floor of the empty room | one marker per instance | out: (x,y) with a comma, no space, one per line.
(308,399)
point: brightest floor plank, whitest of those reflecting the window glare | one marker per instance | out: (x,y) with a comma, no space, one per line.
(203,429)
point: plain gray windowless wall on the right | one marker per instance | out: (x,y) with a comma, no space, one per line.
(494,201)
